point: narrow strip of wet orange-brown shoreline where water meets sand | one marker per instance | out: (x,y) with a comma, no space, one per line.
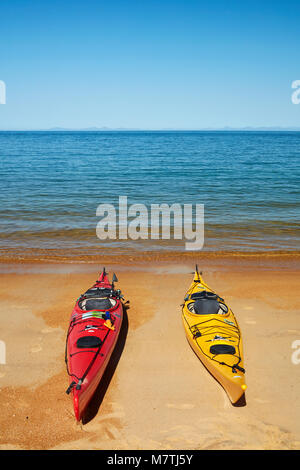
(150,261)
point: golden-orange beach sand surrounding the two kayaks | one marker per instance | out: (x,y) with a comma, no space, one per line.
(156,394)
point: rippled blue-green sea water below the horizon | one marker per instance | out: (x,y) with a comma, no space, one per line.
(52,183)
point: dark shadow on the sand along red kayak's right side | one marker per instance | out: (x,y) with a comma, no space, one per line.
(96,401)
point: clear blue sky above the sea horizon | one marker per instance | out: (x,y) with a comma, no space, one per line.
(149,64)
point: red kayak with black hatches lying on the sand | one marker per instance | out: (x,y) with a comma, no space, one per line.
(93,332)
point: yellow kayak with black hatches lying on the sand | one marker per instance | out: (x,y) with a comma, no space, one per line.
(214,335)
